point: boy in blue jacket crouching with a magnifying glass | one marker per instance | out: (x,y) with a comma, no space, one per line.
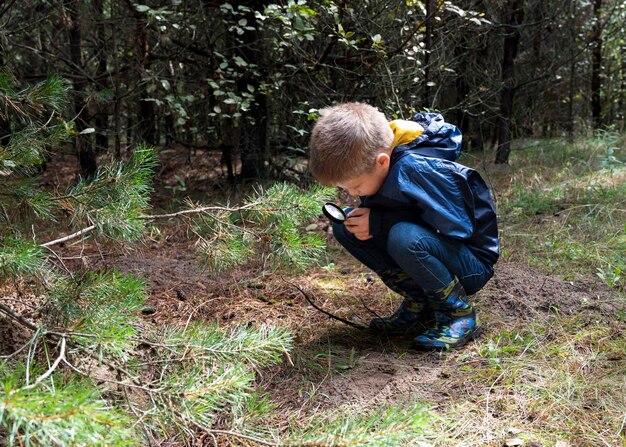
(426,225)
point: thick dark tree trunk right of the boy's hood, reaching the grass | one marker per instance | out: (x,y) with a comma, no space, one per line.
(514,18)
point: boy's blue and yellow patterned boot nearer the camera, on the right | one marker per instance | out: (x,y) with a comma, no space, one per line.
(455,320)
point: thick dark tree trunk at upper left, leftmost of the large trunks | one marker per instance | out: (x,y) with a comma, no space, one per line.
(83,145)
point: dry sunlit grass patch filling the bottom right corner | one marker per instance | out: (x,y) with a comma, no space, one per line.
(557,380)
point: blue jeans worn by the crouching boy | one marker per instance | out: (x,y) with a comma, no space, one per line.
(429,259)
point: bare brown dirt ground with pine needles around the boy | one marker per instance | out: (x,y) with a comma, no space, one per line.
(332,364)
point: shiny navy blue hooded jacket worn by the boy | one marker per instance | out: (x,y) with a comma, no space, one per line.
(426,186)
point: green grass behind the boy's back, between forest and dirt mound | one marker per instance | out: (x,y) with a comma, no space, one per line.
(562,206)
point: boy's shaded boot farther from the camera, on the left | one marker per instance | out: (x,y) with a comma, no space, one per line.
(411,316)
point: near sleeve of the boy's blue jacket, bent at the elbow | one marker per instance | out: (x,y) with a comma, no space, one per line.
(440,198)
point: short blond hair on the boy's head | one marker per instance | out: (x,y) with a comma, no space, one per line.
(346,140)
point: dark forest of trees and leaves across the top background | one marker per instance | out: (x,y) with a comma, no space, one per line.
(247,78)
